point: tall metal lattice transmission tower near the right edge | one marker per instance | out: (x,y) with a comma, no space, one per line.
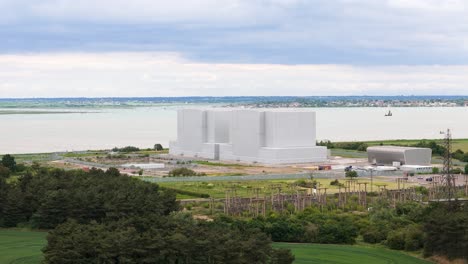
(448,180)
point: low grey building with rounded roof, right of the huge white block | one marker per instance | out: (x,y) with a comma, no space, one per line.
(387,155)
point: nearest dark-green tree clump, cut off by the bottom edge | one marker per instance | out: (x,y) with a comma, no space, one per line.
(151,239)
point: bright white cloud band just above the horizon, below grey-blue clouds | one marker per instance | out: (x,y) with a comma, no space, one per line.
(161,74)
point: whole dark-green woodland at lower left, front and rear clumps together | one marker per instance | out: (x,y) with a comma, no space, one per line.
(104,217)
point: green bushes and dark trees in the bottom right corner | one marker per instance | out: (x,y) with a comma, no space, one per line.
(438,229)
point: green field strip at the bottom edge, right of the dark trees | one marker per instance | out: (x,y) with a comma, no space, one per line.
(344,254)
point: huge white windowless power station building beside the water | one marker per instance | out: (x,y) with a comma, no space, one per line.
(264,136)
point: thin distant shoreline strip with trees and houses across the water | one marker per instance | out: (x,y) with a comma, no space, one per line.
(238,101)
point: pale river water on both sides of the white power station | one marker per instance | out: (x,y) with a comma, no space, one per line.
(146,126)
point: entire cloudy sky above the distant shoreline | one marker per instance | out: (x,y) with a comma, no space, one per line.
(99,48)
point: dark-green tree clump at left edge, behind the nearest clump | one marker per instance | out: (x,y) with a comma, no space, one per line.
(46,198)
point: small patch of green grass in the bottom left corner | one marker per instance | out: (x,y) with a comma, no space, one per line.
(18,246)
